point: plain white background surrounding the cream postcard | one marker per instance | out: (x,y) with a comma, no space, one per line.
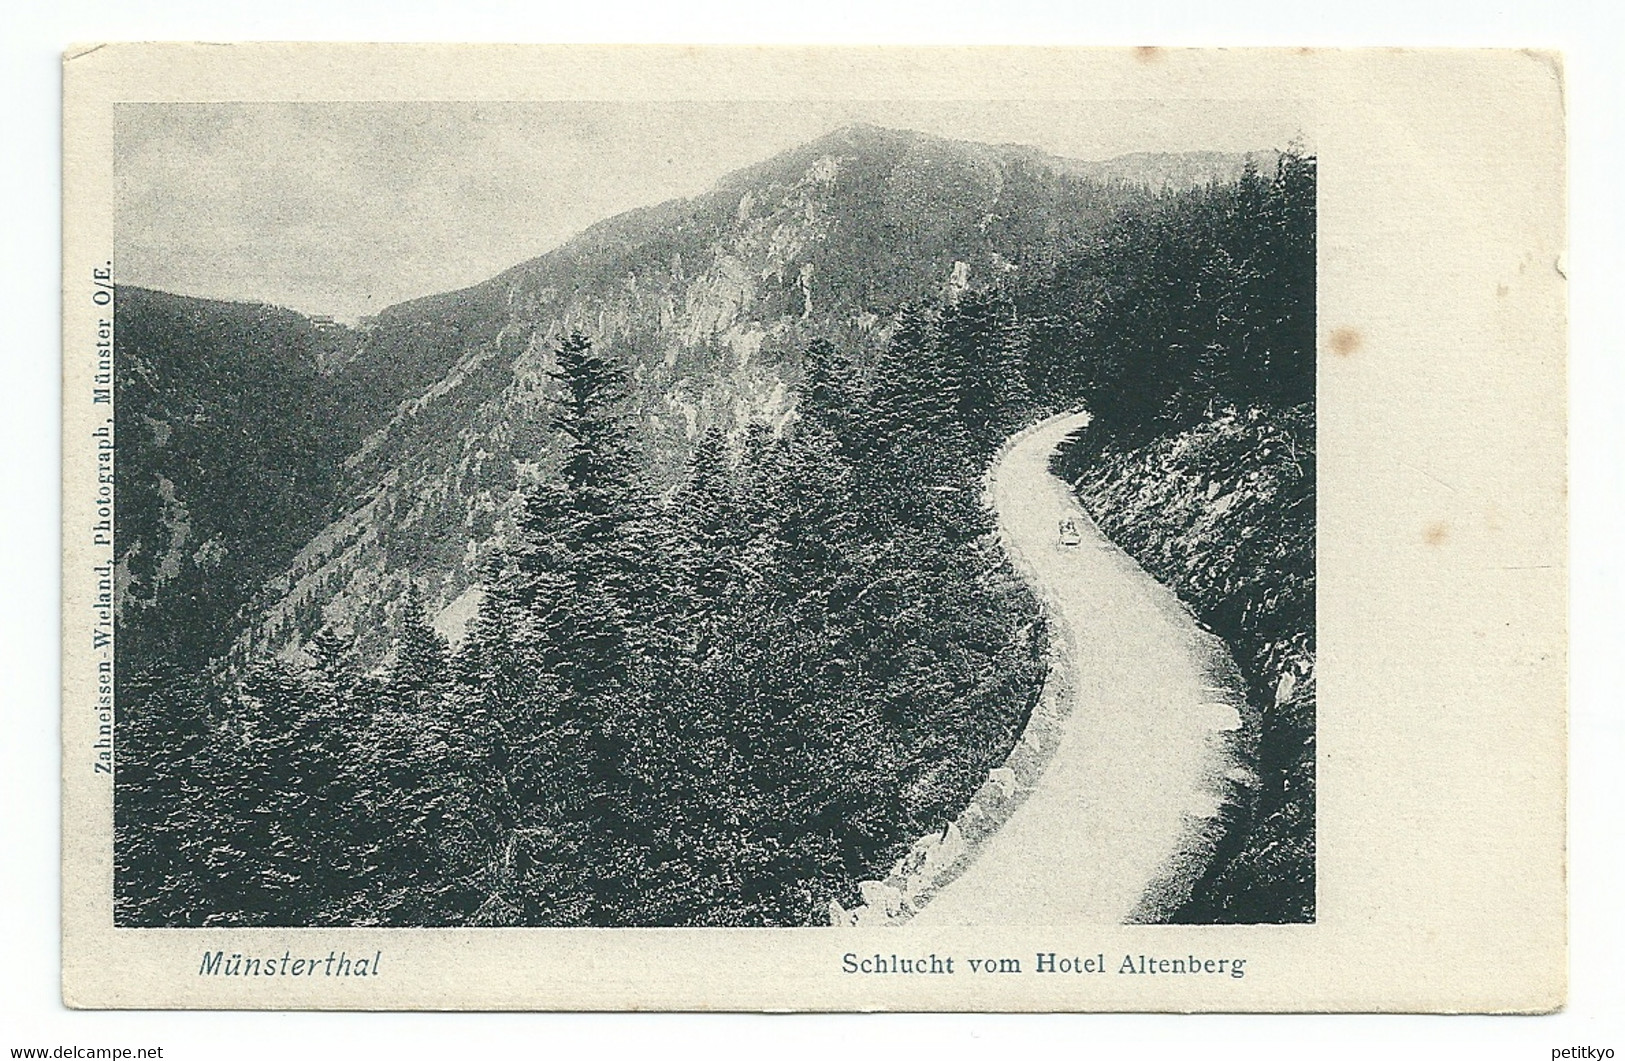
(30,352)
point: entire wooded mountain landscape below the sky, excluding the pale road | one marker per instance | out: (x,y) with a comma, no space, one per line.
(714,475)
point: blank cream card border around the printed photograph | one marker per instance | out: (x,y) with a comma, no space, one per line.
(1442,643)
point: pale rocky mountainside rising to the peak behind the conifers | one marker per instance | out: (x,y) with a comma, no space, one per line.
(709,301)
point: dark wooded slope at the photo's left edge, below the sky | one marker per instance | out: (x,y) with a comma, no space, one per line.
(232,446)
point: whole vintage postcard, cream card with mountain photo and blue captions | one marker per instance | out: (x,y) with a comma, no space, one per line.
(813,529)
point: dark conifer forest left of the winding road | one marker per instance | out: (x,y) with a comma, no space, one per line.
(721,709)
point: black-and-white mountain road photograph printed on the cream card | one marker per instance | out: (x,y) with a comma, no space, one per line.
(714,514)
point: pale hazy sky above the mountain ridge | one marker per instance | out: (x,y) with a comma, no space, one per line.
(347,209)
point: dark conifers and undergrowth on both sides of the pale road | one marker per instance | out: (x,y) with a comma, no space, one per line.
(730,699)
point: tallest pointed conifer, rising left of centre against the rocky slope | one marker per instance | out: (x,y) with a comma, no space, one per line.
(568,727)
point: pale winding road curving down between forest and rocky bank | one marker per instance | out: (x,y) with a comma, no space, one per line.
(1112,807)
